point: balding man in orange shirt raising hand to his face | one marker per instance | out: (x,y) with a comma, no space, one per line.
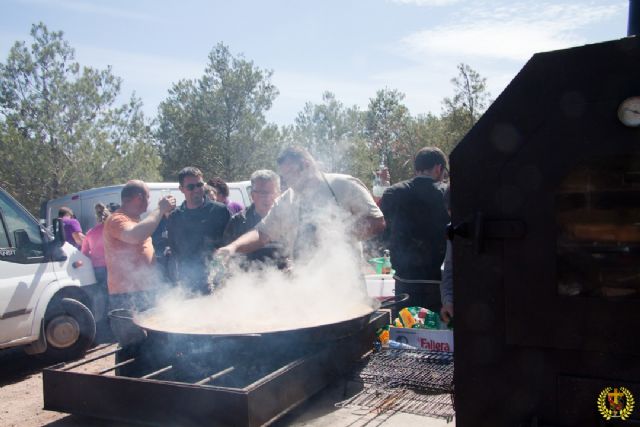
(132,278)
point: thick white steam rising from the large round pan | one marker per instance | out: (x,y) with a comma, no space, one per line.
(324,286)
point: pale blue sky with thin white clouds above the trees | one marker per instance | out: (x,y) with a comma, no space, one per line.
(352,48)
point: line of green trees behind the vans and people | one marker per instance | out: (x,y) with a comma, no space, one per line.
(61,130)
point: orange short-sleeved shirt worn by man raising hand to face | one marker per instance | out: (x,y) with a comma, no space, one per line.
(129,265)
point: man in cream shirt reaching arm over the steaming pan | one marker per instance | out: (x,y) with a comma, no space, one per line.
(312,201)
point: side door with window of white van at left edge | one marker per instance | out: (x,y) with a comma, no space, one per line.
(24,269)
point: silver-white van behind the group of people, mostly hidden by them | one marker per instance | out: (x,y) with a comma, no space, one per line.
(82,203)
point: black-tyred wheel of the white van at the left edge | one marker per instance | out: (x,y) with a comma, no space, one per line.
(69,330)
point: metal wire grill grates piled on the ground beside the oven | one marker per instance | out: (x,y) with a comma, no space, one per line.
(410,381)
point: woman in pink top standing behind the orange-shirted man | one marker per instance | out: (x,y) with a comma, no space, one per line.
(93,247)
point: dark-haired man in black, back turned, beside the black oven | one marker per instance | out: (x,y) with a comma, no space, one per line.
(417,218)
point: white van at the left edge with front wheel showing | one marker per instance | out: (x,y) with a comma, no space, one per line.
(47,287)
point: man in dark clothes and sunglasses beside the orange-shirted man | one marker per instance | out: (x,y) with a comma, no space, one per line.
(194,231)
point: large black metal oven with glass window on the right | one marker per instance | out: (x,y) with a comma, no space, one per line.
(546,254)
